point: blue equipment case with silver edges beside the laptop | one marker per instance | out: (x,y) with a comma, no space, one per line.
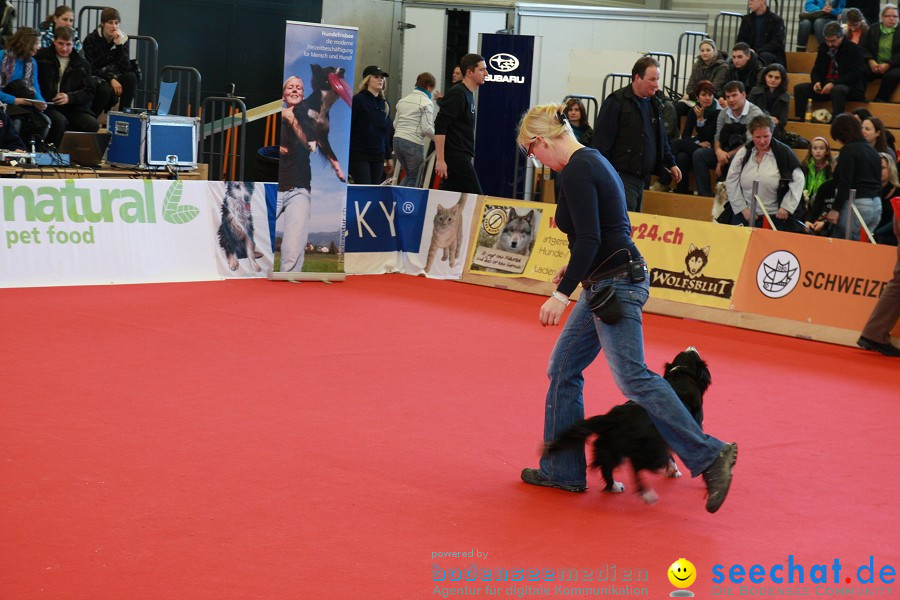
(142,140)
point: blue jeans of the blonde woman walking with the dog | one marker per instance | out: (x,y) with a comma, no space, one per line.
(579,343)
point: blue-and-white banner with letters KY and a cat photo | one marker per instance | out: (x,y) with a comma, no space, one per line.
(407,230)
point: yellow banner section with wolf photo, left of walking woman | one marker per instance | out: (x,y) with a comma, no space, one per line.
(518,239)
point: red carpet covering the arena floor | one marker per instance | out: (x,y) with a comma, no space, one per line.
(251,439)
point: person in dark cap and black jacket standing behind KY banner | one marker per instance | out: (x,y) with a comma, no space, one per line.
(371,130)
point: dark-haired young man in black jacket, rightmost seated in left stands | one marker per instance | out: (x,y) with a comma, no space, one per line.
(106,49)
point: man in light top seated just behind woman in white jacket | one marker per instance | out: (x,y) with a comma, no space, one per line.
(731,134)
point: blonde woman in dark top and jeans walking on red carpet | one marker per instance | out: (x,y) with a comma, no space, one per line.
(591,211)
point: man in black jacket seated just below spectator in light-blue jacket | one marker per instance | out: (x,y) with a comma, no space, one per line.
(837,74)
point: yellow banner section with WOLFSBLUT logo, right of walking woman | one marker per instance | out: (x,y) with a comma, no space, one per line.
(690,261)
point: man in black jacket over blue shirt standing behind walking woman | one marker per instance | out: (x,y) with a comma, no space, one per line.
(630,133)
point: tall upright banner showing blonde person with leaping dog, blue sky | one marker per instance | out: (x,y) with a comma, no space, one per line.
(314,146)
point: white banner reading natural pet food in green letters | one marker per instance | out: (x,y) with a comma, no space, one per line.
(96,231)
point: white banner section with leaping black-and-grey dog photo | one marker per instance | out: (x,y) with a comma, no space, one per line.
(240,220)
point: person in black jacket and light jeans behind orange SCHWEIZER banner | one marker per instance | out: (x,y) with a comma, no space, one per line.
(859,168)
